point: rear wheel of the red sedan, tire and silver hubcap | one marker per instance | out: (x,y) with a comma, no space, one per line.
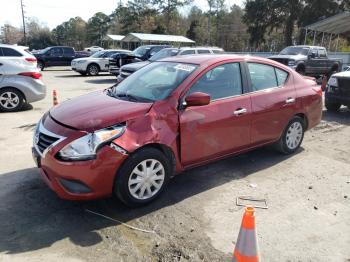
(292,136)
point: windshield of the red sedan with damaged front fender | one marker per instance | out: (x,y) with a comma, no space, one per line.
(153,82)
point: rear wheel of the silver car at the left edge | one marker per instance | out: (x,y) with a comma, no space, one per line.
(16,101)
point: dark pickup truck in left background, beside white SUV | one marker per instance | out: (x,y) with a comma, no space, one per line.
(57,56)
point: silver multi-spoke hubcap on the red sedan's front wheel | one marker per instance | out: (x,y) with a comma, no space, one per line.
(146,179)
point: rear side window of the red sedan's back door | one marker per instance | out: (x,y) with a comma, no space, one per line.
(264,76)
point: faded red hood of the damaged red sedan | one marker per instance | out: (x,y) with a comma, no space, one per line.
(96,110)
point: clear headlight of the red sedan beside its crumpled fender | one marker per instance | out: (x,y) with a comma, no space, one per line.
(85,148)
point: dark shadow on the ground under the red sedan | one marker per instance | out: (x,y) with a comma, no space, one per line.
(33,217)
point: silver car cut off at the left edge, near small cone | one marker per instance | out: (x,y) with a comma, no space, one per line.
(19,84)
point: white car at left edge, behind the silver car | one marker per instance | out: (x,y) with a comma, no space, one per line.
(18,54)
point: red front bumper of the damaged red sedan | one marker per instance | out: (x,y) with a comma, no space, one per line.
(77,180)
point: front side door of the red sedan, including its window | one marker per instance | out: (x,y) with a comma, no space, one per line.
(221,127)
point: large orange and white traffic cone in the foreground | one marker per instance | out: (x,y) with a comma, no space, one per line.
(246,249)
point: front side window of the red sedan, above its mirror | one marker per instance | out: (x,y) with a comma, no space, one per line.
(220,82)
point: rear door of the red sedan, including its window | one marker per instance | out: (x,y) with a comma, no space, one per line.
(273,101)
